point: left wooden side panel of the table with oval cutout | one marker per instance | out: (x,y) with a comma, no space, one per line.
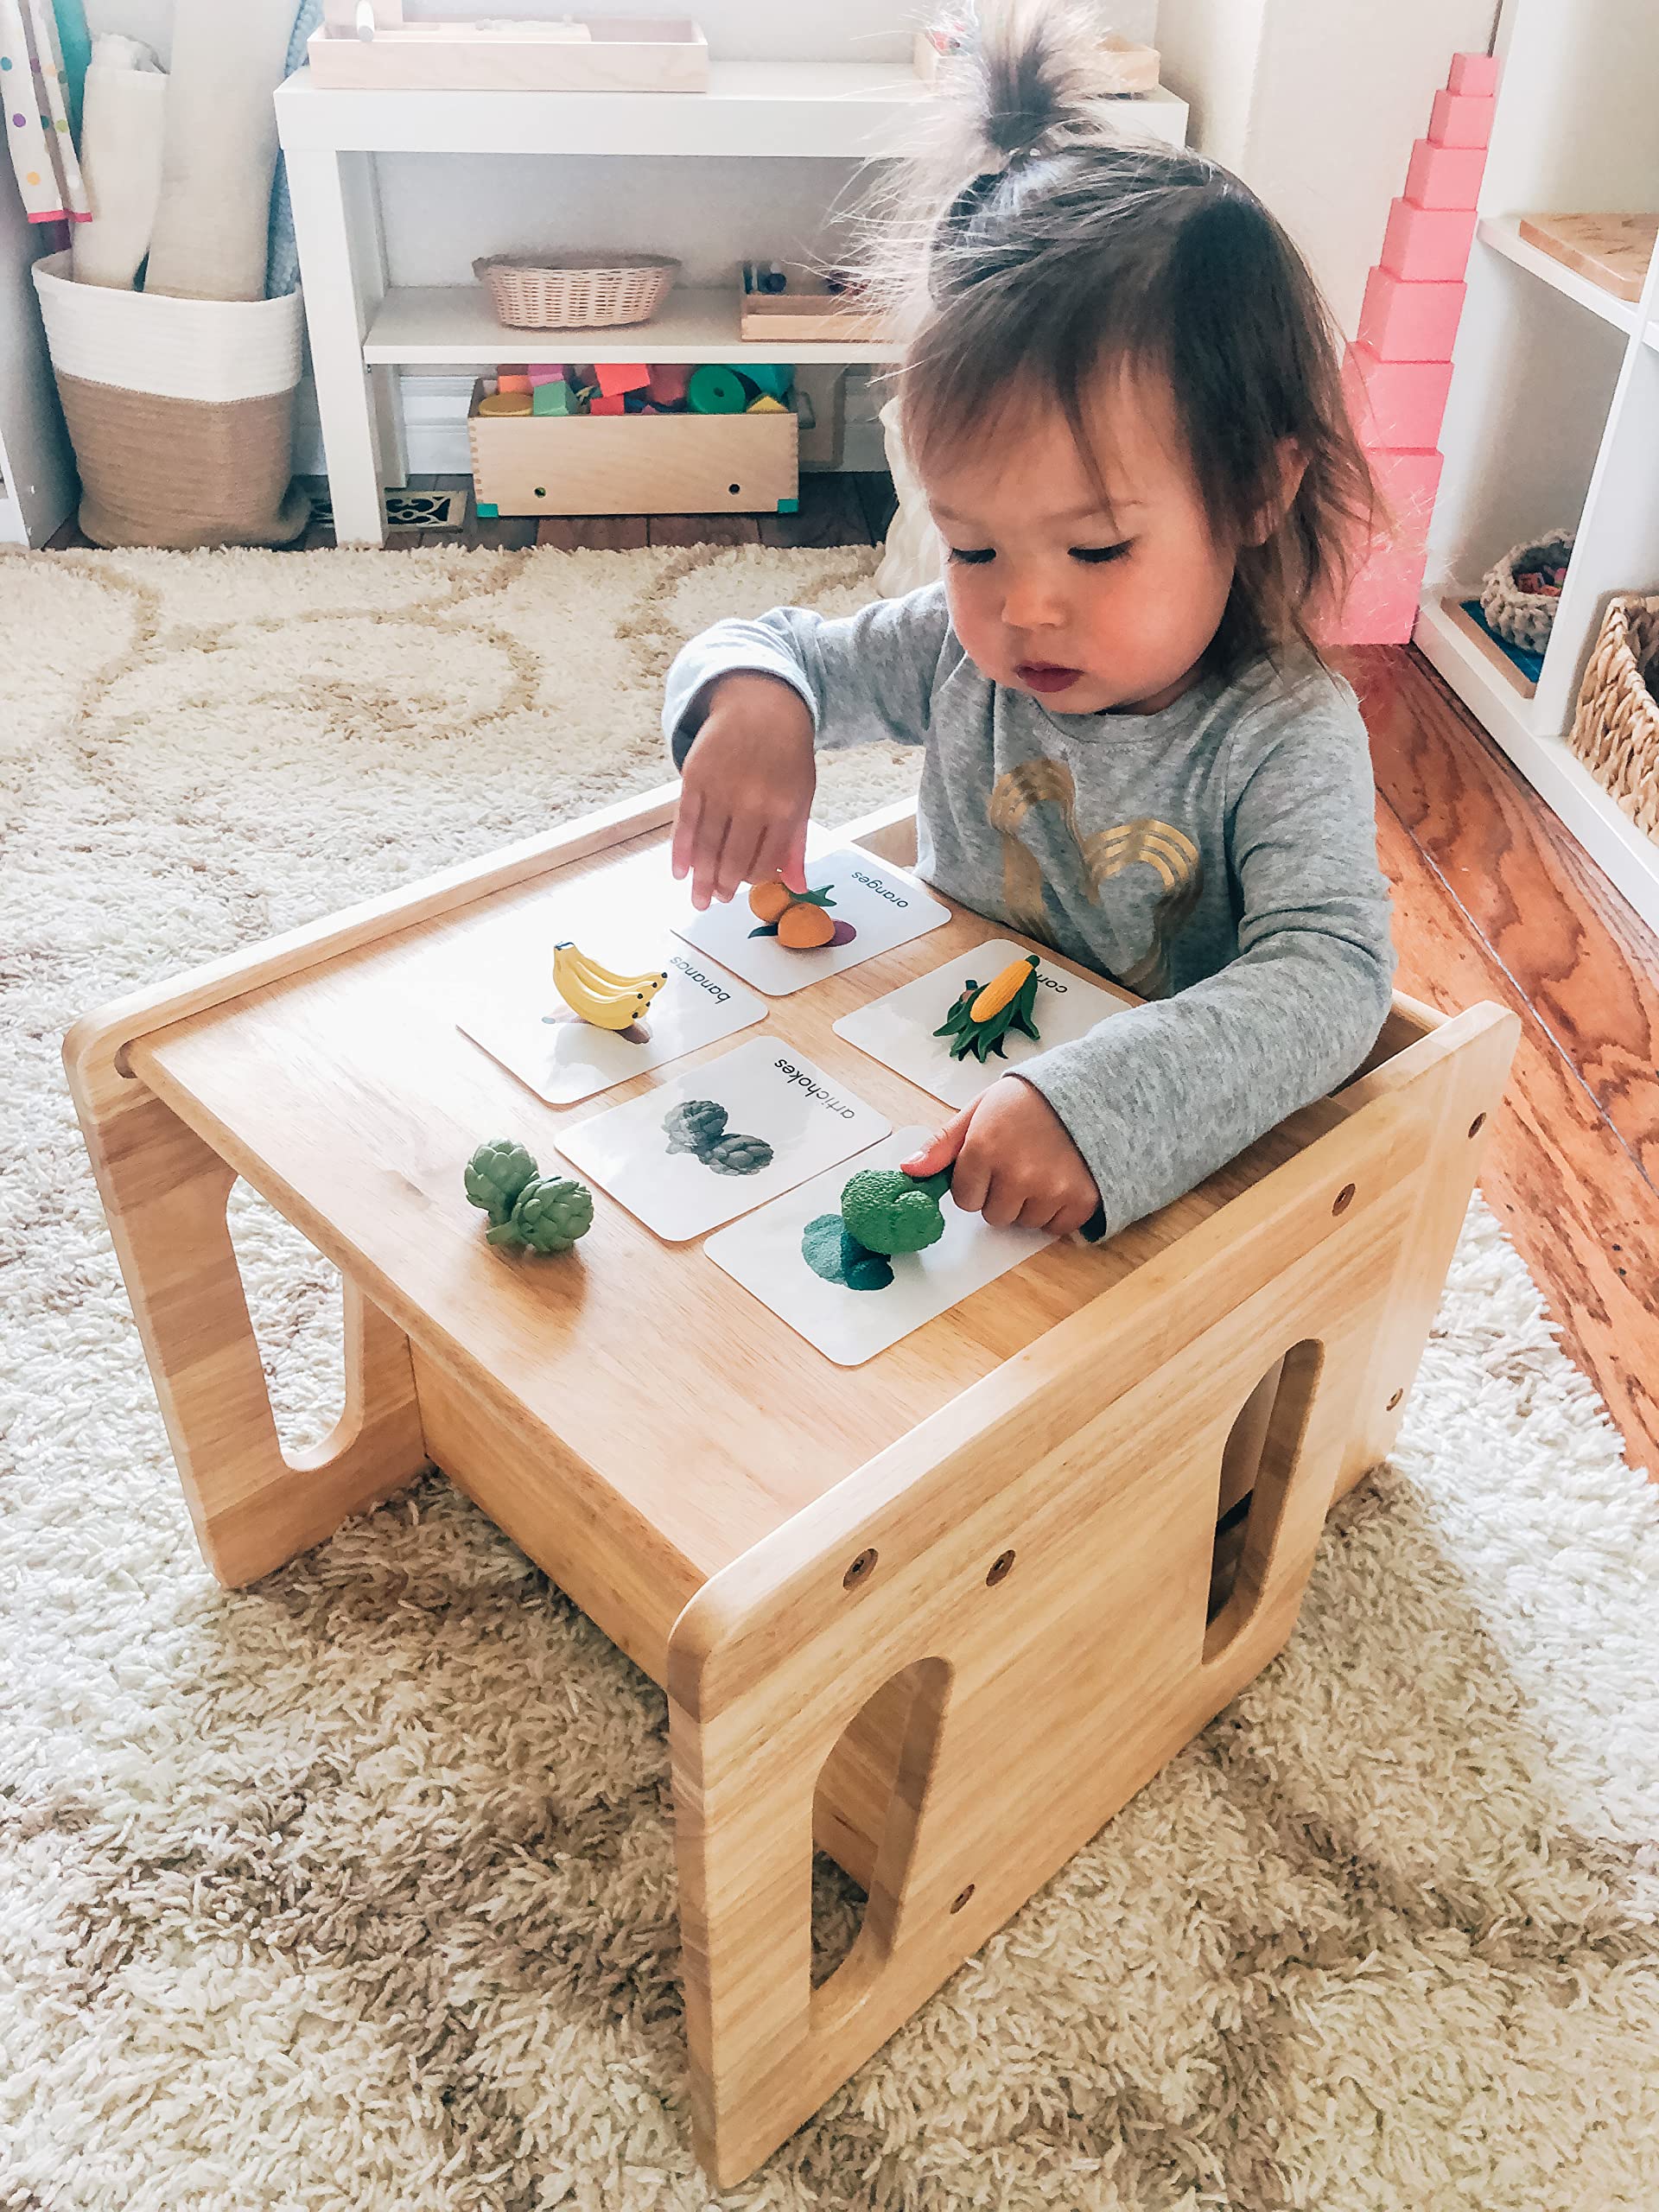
(165,1193)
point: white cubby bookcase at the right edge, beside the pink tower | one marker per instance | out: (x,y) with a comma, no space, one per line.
(1554,413)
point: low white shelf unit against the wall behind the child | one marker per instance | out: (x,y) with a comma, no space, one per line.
(364,328)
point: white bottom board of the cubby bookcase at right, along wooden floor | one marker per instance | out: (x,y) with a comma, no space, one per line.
(1503,702)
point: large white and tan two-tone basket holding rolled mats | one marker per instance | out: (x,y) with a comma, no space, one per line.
(180,413)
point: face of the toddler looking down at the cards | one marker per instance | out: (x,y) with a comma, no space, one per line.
(1052,594)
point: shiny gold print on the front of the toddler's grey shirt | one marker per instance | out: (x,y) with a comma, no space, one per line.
(1105,855)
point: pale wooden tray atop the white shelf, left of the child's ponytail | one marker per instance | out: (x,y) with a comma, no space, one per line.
(649,54)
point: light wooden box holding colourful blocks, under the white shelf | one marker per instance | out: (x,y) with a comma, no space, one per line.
(634,466)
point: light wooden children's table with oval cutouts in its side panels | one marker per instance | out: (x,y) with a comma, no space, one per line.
(946,1611)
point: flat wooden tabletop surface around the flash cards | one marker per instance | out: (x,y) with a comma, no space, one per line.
(351,1100)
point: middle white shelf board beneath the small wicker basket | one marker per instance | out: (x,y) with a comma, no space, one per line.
(455,324)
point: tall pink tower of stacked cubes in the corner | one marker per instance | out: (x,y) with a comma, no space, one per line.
(1399,371)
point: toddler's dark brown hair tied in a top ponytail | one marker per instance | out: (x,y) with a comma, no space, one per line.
(1034,249)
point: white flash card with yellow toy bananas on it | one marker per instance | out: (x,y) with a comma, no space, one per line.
(587,1025)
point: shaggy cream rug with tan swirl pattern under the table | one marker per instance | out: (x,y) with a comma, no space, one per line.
(355,1892)
